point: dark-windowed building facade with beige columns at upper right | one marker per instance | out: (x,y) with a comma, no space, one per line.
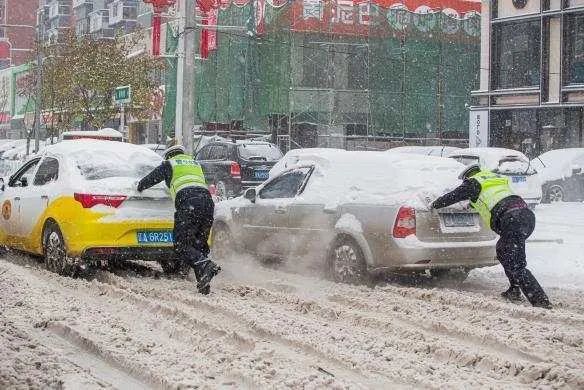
(531,95)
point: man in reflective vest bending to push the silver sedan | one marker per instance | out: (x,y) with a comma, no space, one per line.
(507,215)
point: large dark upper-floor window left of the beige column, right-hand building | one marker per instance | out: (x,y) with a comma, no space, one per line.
(516,56)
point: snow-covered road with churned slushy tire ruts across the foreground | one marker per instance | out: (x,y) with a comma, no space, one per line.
(269,328)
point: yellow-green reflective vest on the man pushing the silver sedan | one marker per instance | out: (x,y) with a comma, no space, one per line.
(494,188)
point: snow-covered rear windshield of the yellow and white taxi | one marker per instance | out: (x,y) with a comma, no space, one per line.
(108,164)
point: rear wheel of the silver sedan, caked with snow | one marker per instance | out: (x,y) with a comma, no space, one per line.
(347,264)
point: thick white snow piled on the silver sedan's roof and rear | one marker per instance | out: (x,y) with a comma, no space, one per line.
(368,177)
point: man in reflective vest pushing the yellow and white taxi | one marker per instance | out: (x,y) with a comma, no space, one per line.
(193,215)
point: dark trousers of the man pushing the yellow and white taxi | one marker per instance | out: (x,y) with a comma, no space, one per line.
(193,219)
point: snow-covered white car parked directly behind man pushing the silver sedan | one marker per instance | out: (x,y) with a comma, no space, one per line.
(524,178)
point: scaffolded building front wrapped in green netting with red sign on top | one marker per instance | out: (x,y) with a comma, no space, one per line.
(341,73)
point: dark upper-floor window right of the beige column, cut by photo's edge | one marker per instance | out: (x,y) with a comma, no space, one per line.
(574,50)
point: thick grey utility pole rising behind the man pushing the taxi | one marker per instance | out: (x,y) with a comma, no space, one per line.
(188,85)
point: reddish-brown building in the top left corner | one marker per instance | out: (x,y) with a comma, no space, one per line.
(17,39)
